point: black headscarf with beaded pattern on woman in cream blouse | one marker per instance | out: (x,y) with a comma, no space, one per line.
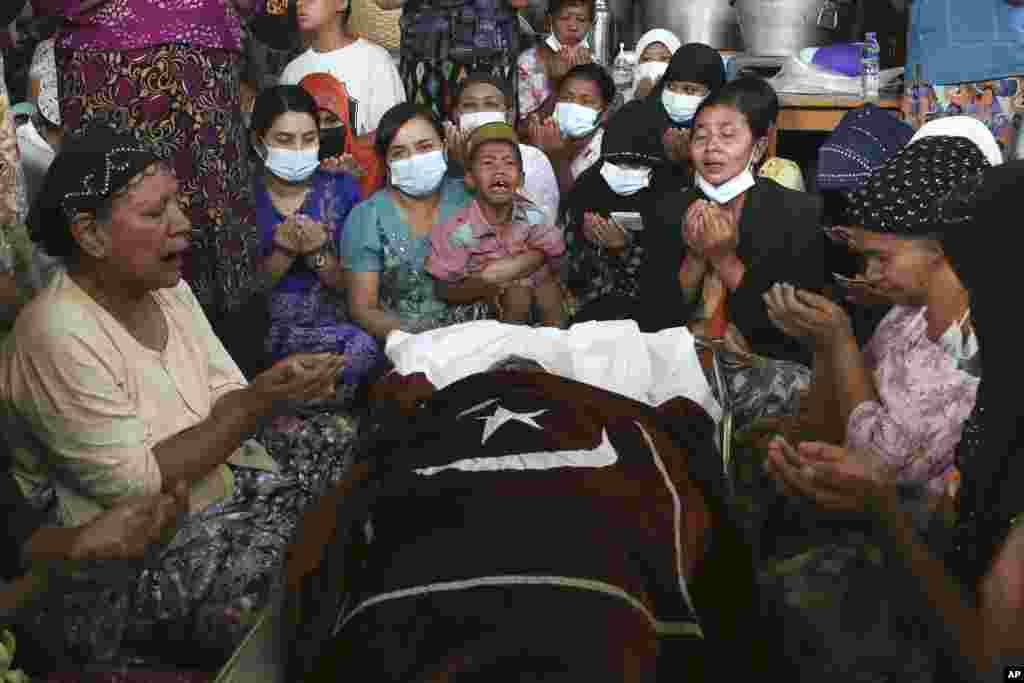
(89,170)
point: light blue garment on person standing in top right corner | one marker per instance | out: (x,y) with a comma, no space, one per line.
(959,41)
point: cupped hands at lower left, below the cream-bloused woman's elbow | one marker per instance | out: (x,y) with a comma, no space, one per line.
(124,532)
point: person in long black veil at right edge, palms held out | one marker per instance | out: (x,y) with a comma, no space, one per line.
(968,593)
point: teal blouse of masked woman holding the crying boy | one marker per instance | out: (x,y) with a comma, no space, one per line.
(377,239)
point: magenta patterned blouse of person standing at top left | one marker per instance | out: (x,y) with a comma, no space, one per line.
(132,25)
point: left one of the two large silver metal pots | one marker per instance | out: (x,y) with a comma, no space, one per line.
(711,22)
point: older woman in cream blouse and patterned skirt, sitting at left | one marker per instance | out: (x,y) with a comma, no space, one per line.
(116,388)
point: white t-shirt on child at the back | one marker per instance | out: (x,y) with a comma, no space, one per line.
(367,71)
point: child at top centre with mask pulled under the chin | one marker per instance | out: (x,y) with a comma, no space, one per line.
(542,69)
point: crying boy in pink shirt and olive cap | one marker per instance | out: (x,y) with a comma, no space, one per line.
(497,231)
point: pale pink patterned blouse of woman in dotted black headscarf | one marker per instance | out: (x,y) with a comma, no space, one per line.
(924,400)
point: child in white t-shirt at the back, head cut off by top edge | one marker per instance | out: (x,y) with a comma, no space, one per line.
(367,71)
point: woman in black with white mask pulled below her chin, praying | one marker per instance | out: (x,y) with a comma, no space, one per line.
(713,250)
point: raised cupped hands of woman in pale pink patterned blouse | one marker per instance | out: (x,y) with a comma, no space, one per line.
(806,316)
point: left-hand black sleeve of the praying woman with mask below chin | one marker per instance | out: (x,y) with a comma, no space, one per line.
(662,303)
